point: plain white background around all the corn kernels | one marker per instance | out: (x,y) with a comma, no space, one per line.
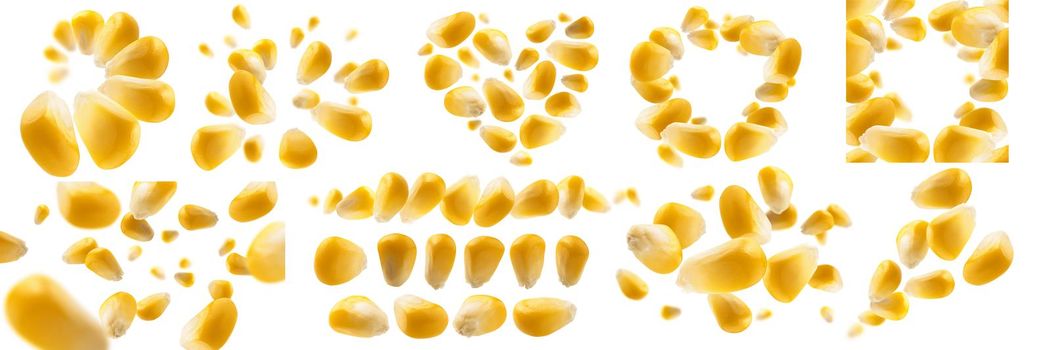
(413,134)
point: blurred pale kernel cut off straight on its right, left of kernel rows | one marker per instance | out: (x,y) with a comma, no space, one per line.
(266,255)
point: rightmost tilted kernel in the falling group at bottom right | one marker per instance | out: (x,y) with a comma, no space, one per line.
(991,260)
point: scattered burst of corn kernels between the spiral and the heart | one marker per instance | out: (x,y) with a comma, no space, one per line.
(250,100)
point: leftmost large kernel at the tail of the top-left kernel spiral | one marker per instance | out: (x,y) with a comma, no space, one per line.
(48,134)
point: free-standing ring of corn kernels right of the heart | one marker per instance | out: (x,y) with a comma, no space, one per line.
(671,120)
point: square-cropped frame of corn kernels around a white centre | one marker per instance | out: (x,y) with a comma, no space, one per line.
(875,125)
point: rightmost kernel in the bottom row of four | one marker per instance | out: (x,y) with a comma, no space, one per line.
(543,317)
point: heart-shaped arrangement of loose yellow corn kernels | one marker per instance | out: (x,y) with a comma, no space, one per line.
(572,56)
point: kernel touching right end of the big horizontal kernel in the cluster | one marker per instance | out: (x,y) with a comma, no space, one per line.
(789,272)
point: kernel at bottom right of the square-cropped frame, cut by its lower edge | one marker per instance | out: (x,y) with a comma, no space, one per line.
(957,145)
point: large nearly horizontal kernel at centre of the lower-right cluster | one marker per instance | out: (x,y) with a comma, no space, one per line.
(730,267)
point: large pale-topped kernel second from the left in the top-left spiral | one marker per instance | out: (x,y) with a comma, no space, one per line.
(110,132)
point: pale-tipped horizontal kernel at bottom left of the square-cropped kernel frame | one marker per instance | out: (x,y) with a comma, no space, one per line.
(896,145)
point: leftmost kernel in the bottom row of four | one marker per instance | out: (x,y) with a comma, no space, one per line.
(358,317)
